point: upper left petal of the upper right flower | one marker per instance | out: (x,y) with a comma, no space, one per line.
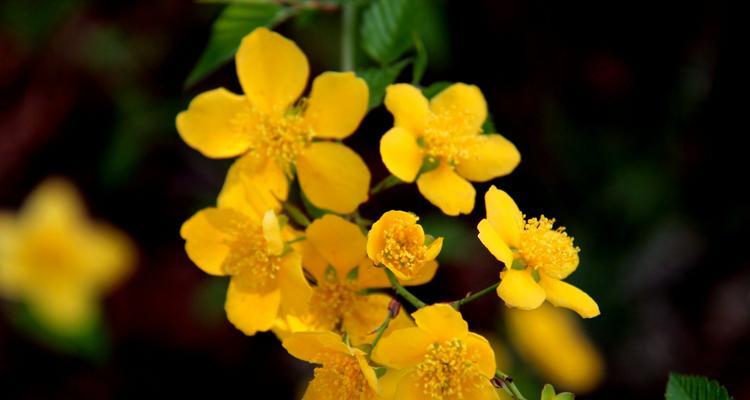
(409,107)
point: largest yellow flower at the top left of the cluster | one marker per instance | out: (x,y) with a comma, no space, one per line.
(277,131)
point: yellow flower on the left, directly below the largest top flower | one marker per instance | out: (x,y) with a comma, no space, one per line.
(266,274)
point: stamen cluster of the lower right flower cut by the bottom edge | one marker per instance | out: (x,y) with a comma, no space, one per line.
(448,370)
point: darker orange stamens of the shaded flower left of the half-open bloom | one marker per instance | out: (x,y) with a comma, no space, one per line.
(331,303)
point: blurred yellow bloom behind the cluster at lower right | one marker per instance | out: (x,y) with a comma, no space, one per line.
(551,341)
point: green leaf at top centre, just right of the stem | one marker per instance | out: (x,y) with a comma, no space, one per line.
(387,27)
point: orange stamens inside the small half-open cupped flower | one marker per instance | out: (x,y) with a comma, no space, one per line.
(404,248)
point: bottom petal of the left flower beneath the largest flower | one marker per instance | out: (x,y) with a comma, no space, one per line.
(251,312)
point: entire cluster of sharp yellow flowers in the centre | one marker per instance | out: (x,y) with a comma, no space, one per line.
(322,286)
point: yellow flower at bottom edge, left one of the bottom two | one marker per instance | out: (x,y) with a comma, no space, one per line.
(344,373)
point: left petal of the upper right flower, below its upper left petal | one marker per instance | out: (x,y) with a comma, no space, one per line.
(401,154)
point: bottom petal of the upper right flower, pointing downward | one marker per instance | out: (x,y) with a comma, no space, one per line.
(447,190)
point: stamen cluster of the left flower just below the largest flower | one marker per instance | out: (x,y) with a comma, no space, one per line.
(249,261)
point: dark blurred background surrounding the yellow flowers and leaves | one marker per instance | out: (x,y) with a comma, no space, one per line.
(618,110)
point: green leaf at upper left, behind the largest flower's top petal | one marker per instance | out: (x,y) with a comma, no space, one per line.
(236,21)
